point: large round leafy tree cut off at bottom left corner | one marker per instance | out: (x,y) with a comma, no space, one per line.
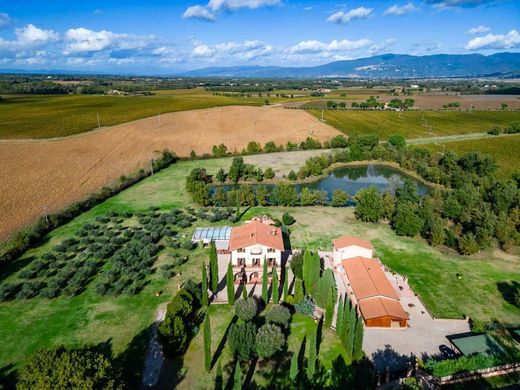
(61,368)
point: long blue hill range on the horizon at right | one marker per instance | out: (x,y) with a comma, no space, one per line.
(383,66)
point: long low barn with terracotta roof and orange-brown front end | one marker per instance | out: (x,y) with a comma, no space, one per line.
(377,300)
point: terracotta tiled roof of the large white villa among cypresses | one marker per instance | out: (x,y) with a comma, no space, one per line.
(256,232)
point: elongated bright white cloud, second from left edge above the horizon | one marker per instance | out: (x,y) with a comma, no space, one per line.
(83,40)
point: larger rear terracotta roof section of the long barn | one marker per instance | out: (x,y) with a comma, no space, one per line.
(368,279)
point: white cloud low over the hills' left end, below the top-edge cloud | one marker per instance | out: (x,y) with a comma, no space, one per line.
(243,51)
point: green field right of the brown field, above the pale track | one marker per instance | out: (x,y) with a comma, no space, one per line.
(411,124)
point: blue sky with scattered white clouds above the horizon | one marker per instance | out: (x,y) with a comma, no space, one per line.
(159,36)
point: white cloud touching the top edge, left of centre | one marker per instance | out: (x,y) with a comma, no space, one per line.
(208,11)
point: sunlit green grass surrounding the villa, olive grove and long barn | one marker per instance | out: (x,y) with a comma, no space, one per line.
(89,318)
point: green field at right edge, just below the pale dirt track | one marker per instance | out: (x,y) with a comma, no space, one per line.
(505,150)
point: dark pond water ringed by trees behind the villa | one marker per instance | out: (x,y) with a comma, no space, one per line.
(353,179)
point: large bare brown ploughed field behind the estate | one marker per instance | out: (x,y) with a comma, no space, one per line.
(53,173)
